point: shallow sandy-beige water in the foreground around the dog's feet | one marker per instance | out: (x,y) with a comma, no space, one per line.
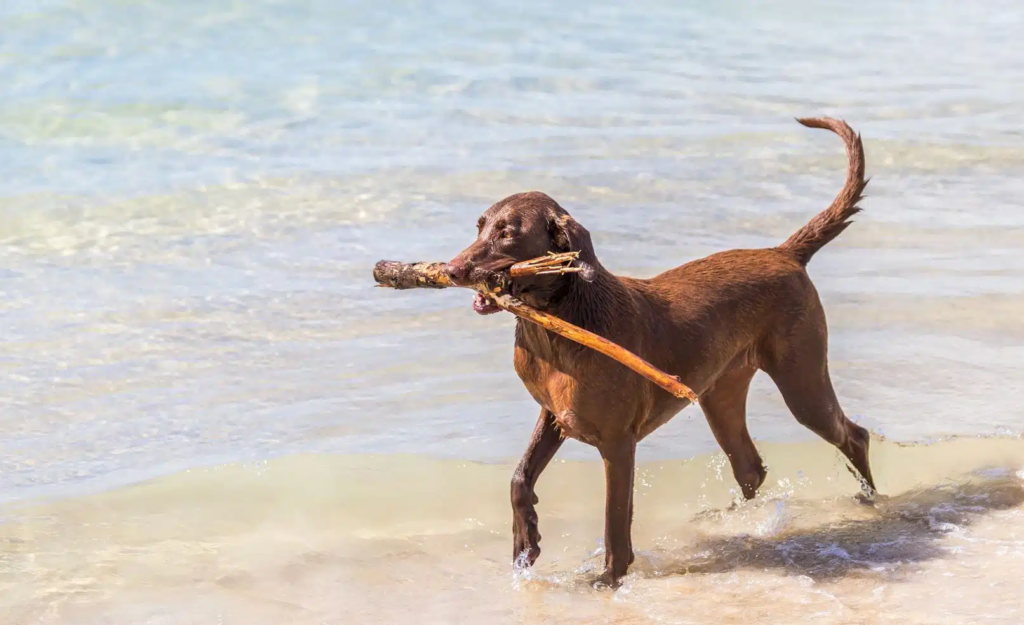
(351,538)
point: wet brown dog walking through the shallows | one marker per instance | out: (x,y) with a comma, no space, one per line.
(713,323)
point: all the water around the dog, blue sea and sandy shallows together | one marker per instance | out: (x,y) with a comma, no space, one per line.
(209,415)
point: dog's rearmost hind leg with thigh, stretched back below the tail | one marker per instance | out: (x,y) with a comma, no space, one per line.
(798,364)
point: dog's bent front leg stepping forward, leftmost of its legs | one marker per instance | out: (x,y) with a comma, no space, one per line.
(543,445)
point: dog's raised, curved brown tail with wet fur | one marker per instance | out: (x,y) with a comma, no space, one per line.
(831,223)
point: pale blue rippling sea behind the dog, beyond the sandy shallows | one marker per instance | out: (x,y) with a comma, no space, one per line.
(195,193)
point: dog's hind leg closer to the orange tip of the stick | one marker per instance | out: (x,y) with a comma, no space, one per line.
(726,407)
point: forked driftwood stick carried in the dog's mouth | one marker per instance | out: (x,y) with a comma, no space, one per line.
(433,276)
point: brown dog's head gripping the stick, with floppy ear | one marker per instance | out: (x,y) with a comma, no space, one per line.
(520,228)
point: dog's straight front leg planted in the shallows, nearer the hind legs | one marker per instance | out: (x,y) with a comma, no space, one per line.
(619,469)
